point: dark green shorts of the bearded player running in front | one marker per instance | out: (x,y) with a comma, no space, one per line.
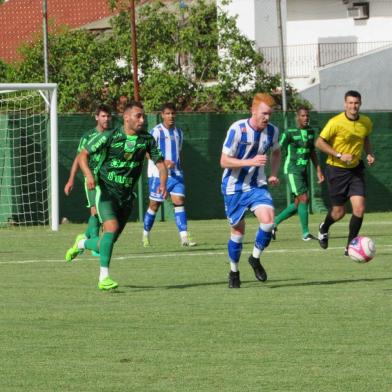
(110,208)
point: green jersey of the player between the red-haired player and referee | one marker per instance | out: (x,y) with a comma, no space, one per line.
(298,144)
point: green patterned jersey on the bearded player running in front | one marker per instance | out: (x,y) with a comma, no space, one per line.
(123,163)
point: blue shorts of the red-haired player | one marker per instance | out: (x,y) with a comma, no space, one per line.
(236,205)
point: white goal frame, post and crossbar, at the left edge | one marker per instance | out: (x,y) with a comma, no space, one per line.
(48,91)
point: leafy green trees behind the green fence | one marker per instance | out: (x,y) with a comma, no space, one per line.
(194,56)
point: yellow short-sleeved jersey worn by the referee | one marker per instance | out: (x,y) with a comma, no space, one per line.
(346,136)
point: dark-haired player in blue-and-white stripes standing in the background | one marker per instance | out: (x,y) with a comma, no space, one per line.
(169,139)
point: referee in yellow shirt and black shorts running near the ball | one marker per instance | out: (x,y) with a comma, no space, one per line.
(344,139)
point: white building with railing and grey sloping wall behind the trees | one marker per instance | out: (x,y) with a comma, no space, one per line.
(324,41)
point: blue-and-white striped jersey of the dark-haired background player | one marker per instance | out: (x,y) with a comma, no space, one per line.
(170,143)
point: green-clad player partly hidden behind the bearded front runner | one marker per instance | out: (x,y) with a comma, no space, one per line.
(102,117)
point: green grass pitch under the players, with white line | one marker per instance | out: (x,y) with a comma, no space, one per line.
(320,323)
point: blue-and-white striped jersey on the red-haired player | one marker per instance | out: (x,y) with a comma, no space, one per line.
(244,142)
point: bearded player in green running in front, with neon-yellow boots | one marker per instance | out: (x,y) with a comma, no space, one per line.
(125,150)
